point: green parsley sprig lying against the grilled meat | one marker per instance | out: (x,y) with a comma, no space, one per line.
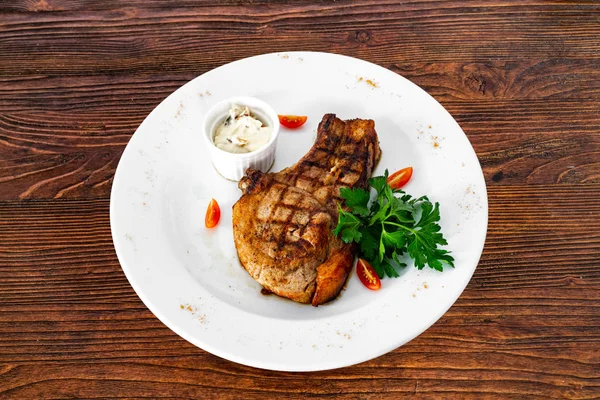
(390,225)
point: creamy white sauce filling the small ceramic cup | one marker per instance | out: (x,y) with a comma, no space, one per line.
(241,132)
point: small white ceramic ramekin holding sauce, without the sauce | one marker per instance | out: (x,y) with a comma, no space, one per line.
(233,166)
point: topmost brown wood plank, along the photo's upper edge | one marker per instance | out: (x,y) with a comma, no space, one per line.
(134,40)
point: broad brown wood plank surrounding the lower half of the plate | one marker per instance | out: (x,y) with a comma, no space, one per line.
(68,315)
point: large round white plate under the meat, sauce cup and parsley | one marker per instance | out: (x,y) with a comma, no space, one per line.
(190,277)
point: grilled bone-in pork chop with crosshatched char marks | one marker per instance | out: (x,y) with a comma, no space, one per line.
(283,223)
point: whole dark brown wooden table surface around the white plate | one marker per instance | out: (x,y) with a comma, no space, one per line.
(522,79)
